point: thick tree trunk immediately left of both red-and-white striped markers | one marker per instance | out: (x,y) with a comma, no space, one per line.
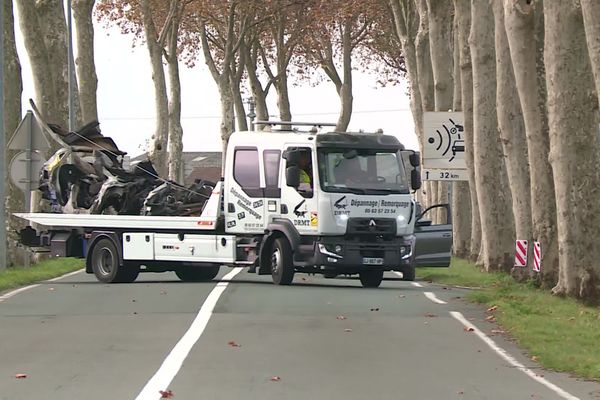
(493,193)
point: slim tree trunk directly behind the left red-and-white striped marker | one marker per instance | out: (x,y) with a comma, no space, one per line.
(512,135)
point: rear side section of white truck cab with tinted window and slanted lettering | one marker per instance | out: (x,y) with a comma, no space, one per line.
(244,196)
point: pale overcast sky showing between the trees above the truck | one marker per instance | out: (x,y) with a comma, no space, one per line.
(126,99)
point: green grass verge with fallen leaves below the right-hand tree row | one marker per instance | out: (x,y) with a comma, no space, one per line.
(558,333)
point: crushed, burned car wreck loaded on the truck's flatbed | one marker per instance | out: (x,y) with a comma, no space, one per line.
(87,176)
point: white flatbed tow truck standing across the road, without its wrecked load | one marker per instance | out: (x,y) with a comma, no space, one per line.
(353,215)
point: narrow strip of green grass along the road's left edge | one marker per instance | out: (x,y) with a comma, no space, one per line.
(15,277)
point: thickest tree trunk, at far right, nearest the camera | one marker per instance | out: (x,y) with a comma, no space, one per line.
(573,109)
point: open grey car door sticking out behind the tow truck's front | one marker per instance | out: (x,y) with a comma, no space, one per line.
(433,246)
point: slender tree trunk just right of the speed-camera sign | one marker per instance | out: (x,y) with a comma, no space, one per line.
(463,13)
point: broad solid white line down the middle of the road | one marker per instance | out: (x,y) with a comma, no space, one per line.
(172,364)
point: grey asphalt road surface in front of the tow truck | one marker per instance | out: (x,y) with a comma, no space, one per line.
(77,338)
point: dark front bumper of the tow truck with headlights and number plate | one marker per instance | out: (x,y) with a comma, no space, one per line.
(341,254)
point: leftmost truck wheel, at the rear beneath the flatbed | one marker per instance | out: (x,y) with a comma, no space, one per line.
(105,264)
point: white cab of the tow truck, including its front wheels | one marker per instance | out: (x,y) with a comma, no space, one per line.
(331,203)
